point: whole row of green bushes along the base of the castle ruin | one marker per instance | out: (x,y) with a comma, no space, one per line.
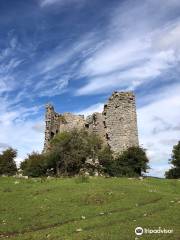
(79,152)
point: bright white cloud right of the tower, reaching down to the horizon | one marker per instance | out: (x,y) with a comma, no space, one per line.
(161,114)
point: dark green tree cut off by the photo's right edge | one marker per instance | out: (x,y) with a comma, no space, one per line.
(174,172)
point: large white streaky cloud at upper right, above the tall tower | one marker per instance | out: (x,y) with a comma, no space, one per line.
(133,52)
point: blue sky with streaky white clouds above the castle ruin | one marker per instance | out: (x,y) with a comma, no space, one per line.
(75,53)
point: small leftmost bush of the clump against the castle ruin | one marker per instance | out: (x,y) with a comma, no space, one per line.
(34,165)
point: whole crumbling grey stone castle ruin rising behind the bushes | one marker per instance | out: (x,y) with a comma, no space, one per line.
(116,125)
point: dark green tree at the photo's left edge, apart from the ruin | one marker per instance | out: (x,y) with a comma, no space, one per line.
(7,162)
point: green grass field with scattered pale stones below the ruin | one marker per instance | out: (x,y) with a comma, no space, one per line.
(101,209)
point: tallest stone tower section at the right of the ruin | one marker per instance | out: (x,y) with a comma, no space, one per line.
(120,121)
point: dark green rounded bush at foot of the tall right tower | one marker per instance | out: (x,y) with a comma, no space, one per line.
(131,163)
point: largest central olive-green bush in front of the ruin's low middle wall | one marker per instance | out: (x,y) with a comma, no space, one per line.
(69,151)
